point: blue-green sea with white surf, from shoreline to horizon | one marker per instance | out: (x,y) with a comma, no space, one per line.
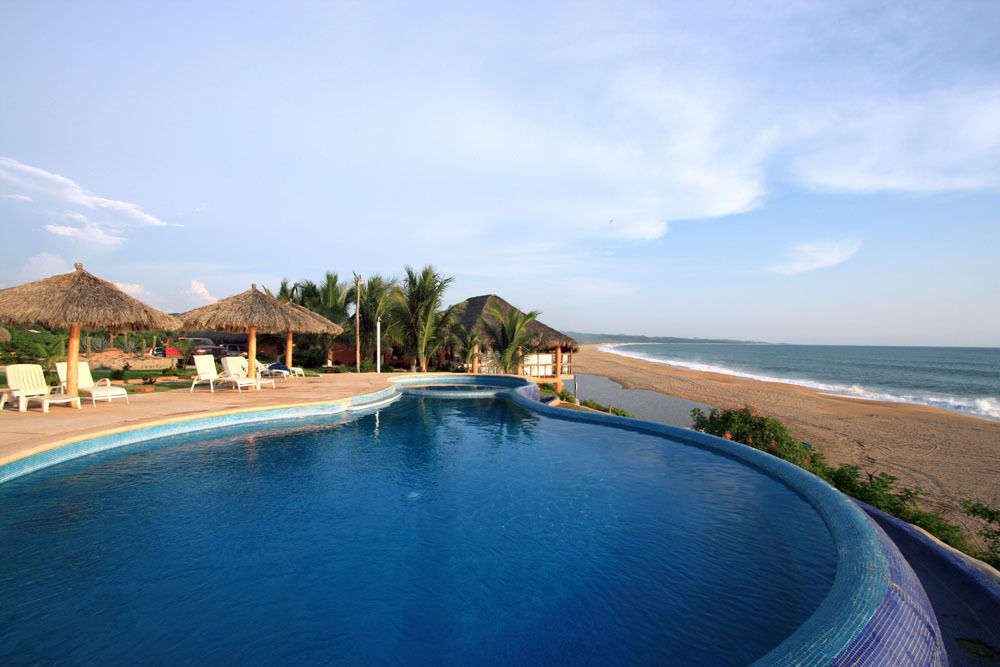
(963,379)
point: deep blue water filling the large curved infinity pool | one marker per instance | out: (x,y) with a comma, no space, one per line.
(469,531)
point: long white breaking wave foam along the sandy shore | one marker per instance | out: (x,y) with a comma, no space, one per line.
(987,406)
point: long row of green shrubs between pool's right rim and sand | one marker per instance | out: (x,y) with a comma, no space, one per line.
(878,490)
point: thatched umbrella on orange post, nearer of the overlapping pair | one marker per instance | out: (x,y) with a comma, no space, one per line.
(251,311)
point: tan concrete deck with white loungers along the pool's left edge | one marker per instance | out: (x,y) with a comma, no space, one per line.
(25,433)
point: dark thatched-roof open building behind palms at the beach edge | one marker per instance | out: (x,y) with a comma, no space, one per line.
(551,362)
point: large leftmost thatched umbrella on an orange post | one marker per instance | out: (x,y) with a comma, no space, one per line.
(78,300)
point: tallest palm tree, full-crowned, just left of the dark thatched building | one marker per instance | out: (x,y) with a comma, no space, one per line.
(424,326)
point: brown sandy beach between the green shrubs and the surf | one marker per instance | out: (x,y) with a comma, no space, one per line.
(947,455)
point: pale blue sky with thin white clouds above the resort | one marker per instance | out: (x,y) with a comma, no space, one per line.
(790,171)
